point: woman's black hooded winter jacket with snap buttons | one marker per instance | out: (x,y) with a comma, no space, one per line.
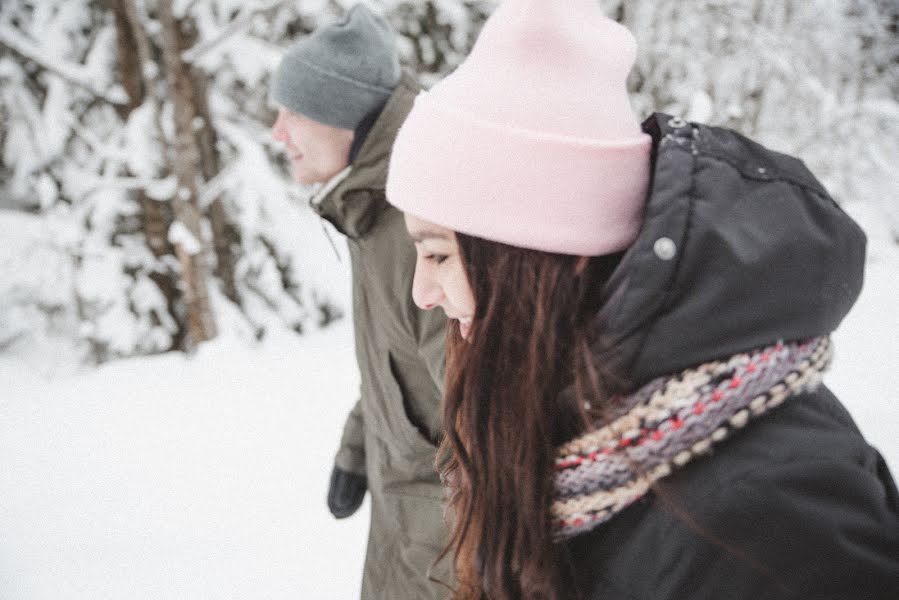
(797,504)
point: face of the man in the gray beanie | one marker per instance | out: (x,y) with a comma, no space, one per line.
(316,151)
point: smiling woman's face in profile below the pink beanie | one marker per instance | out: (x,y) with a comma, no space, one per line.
(440,278)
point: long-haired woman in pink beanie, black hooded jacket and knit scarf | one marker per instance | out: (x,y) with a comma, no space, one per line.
(639,323)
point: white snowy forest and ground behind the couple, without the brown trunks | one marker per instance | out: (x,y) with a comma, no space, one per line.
(141,475)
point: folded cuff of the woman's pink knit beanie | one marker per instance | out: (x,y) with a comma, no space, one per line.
(523,188)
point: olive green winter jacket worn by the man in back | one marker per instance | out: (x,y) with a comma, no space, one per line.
(391,434)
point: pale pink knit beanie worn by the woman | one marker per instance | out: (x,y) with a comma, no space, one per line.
(532,140)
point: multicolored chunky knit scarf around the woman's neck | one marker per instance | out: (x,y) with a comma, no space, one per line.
(668,422)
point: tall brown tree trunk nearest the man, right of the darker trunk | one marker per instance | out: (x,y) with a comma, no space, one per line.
(194,269)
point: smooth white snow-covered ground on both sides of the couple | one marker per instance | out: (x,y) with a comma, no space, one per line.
(179,477)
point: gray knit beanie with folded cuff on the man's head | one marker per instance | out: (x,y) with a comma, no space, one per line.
(341,72)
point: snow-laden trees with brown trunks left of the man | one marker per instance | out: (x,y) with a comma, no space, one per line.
(114,135)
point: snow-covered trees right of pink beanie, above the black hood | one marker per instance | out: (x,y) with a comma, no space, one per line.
(814,78)
